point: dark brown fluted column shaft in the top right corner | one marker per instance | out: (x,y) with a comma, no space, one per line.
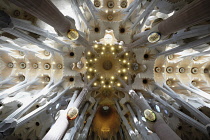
(194,13)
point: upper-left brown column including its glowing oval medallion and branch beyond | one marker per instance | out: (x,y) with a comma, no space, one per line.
(49,13)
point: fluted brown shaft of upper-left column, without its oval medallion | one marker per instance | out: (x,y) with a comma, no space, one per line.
(46,11)
